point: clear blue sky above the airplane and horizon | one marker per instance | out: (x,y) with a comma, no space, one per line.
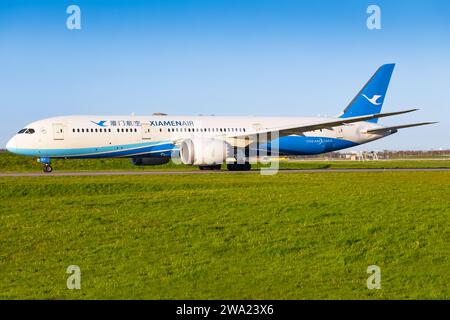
(224,57)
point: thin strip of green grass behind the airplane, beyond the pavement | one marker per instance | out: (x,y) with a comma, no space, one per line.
(13,163)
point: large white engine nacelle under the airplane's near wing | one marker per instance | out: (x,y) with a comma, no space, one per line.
(203,151)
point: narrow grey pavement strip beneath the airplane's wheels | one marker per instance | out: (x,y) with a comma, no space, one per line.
(181,172)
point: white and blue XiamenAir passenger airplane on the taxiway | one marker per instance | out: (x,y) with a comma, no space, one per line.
(208,141)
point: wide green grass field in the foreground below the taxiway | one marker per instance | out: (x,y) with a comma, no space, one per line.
(238,236)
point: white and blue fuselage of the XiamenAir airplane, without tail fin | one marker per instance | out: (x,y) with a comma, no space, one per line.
(129,136)
